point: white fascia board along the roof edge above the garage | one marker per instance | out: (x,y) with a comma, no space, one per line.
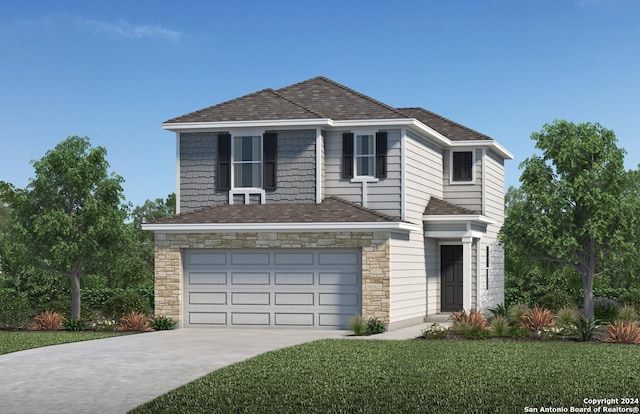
(280,227)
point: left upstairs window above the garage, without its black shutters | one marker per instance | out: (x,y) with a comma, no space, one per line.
(247,162)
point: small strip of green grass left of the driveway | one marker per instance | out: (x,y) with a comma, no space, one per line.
(13,341)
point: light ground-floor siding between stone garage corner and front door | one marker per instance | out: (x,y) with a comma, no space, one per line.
(408,282)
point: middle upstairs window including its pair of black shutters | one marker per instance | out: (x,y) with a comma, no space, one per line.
(366,154)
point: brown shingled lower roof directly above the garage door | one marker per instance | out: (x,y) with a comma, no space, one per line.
(331,210)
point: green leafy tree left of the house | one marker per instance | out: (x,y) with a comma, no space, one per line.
(70,217)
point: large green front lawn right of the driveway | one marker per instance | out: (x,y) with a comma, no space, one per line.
(412,376)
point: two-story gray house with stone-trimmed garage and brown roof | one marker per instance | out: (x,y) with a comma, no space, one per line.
(302,206)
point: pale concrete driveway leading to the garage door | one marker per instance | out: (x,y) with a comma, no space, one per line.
(115,375)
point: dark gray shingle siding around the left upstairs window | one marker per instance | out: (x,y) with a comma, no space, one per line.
(198,177)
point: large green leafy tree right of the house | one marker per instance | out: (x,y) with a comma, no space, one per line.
(571,210)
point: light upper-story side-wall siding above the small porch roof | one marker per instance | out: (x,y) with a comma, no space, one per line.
(423,175)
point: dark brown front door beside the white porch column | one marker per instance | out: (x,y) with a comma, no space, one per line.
(451,283)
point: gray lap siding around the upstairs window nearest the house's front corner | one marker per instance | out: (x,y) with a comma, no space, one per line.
(383,196)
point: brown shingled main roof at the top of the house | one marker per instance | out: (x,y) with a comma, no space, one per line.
(321,98)
